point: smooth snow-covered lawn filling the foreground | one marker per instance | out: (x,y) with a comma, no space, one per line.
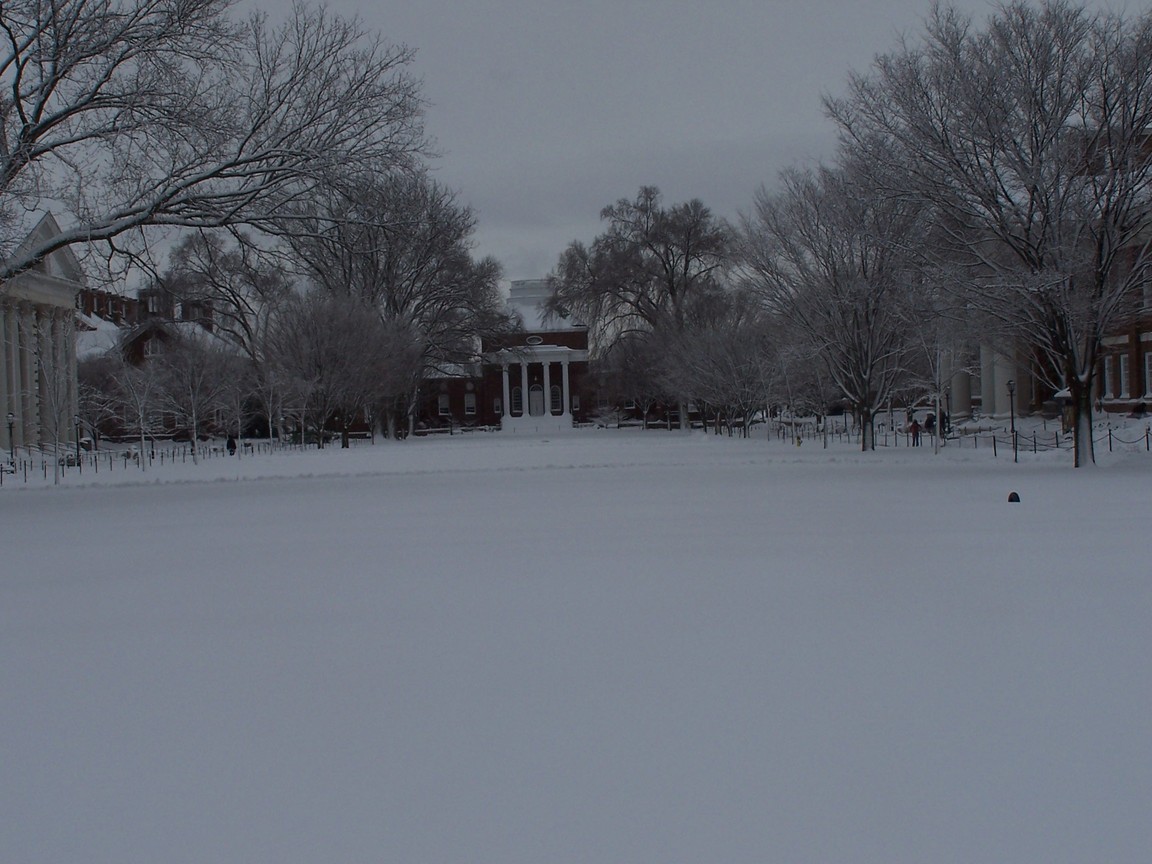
(607,647)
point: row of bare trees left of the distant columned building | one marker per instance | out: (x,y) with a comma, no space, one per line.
(283,160)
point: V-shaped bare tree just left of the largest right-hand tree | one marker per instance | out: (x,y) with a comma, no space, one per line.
(831,256)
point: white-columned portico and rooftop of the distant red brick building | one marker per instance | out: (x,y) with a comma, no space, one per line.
(537,372)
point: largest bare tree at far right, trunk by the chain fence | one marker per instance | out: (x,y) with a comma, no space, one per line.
(1030,140)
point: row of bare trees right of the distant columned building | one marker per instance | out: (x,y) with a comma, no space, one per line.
(991,186)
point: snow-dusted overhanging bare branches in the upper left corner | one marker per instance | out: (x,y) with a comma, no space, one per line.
(139,113)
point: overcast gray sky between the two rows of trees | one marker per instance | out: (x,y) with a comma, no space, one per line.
(547,111)
